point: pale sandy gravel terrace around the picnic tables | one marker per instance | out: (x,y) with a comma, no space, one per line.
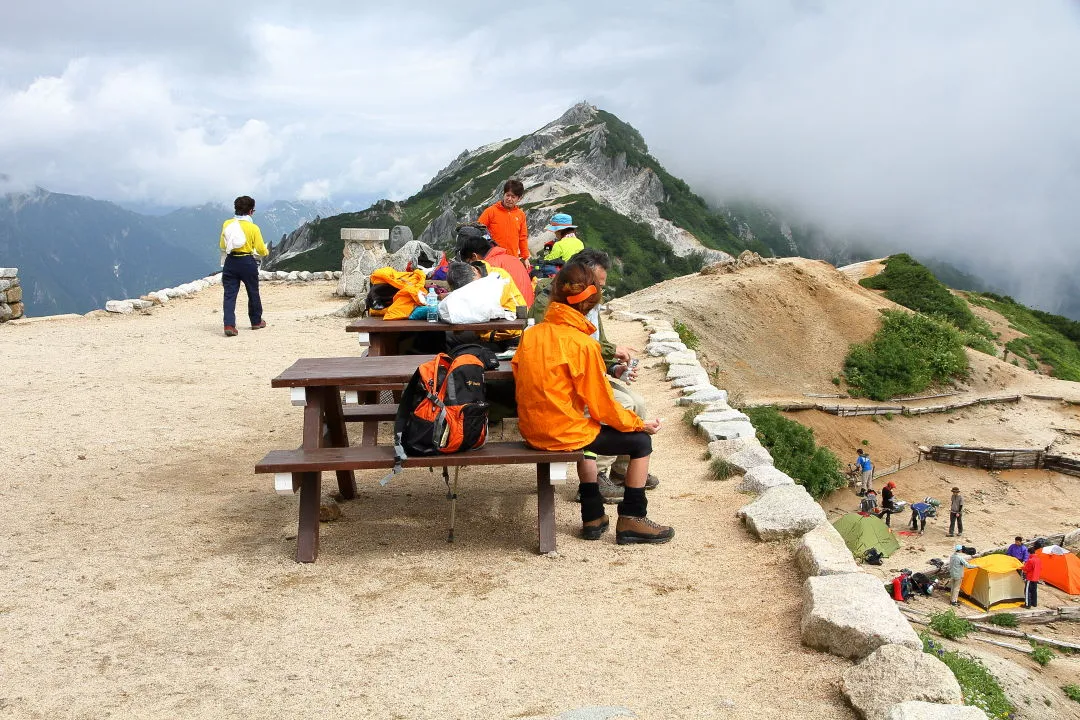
(150,572)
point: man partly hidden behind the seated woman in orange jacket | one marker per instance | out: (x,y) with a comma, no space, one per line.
(612,472)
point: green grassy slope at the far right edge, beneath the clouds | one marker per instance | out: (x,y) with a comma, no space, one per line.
(1051,339)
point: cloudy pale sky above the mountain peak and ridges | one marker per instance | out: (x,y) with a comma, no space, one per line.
(948,128)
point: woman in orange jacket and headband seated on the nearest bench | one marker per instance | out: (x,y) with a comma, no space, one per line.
(559,374)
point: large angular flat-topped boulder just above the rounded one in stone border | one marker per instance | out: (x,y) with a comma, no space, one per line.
(850,616)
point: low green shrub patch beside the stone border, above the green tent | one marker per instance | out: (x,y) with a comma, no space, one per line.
(795,453)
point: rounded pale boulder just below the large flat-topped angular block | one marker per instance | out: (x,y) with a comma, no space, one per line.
(895,674)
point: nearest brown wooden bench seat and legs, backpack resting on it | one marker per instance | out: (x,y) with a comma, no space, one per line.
(302,470)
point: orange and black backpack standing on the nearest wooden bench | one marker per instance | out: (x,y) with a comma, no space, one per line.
(443,409)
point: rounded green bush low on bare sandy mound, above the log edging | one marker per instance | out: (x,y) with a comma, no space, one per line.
(910,354)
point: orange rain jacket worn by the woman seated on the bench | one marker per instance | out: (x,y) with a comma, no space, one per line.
(558,374)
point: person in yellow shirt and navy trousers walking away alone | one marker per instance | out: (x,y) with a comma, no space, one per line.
(241,241)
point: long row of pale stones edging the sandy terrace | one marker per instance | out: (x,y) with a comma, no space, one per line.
(845,612)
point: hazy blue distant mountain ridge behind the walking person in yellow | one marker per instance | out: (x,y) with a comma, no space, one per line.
(76,253)
